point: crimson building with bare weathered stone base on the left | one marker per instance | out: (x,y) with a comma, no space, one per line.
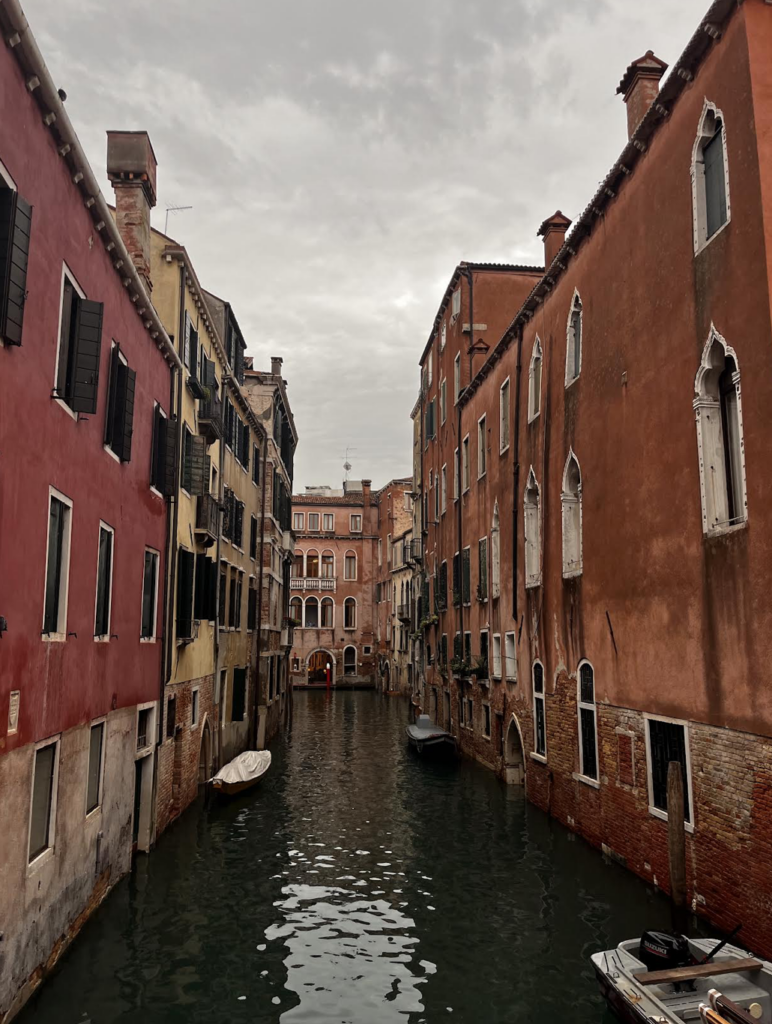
(87,377)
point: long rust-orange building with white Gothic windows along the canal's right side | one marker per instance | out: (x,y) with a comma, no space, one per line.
(618,614)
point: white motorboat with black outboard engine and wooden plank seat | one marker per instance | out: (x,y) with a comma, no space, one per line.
(671,979)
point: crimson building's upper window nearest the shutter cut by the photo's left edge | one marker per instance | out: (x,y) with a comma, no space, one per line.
(79,349)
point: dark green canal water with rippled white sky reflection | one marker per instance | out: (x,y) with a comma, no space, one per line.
(359,884)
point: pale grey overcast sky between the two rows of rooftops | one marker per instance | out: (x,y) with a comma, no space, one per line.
(342,156)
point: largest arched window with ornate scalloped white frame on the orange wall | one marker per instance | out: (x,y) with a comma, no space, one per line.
(720,444)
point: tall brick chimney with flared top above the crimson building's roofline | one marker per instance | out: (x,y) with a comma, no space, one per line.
(132,169)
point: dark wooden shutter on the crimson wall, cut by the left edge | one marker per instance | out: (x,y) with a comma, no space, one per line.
(16,223)
